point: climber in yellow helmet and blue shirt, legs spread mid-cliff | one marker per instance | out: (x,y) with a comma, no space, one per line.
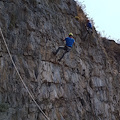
(69,43)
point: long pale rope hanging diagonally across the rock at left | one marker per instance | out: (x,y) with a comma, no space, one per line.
(21,77)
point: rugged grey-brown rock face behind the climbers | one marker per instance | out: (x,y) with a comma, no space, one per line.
(83,86)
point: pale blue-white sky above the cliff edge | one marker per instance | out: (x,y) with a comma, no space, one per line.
(106,16)
